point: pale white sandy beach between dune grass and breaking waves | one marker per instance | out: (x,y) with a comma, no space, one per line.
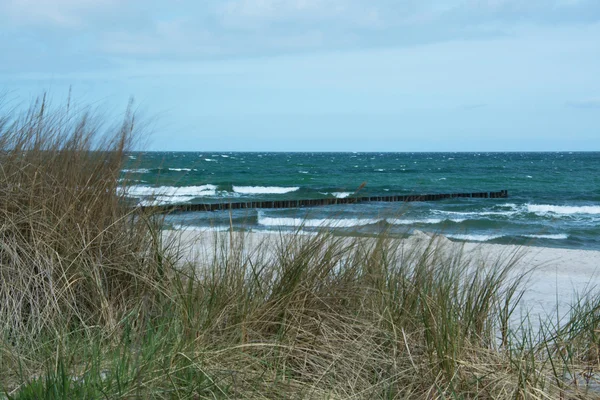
(558,275)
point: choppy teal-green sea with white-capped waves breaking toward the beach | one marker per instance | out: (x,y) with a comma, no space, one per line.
(553,198)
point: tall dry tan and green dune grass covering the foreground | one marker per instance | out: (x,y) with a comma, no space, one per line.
(97,302)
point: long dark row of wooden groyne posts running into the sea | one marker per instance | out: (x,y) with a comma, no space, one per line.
(321,202)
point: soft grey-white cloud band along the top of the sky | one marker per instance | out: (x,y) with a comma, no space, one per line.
(128,30)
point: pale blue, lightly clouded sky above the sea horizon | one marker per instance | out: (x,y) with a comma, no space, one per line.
(319,75)
